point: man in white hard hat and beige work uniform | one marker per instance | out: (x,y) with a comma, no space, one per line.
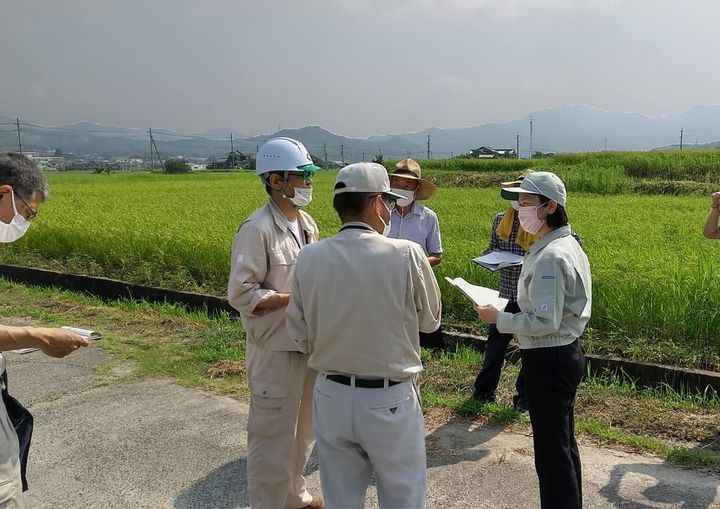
(279,430)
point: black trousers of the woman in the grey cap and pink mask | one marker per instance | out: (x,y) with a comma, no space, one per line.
(553,375)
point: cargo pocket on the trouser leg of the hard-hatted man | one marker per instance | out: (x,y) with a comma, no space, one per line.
(269,414)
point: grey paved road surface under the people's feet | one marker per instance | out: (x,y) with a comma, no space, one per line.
(155,444)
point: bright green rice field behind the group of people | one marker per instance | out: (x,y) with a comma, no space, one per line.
(656,282)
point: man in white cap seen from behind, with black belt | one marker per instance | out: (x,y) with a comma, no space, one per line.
(357,302)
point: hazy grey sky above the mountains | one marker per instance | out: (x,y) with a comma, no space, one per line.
(355,67)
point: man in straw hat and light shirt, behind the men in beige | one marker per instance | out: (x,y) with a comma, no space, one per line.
(413,221)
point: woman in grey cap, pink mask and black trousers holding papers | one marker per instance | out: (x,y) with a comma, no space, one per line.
(555,297)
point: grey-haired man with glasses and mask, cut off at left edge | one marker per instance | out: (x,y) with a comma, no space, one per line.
(23,188)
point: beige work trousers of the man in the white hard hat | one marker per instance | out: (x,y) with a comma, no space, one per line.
(280,432)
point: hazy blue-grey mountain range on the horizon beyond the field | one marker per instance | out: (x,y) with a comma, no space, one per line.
(571,128)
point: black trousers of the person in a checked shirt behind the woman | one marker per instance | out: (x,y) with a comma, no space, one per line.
(489,376)
